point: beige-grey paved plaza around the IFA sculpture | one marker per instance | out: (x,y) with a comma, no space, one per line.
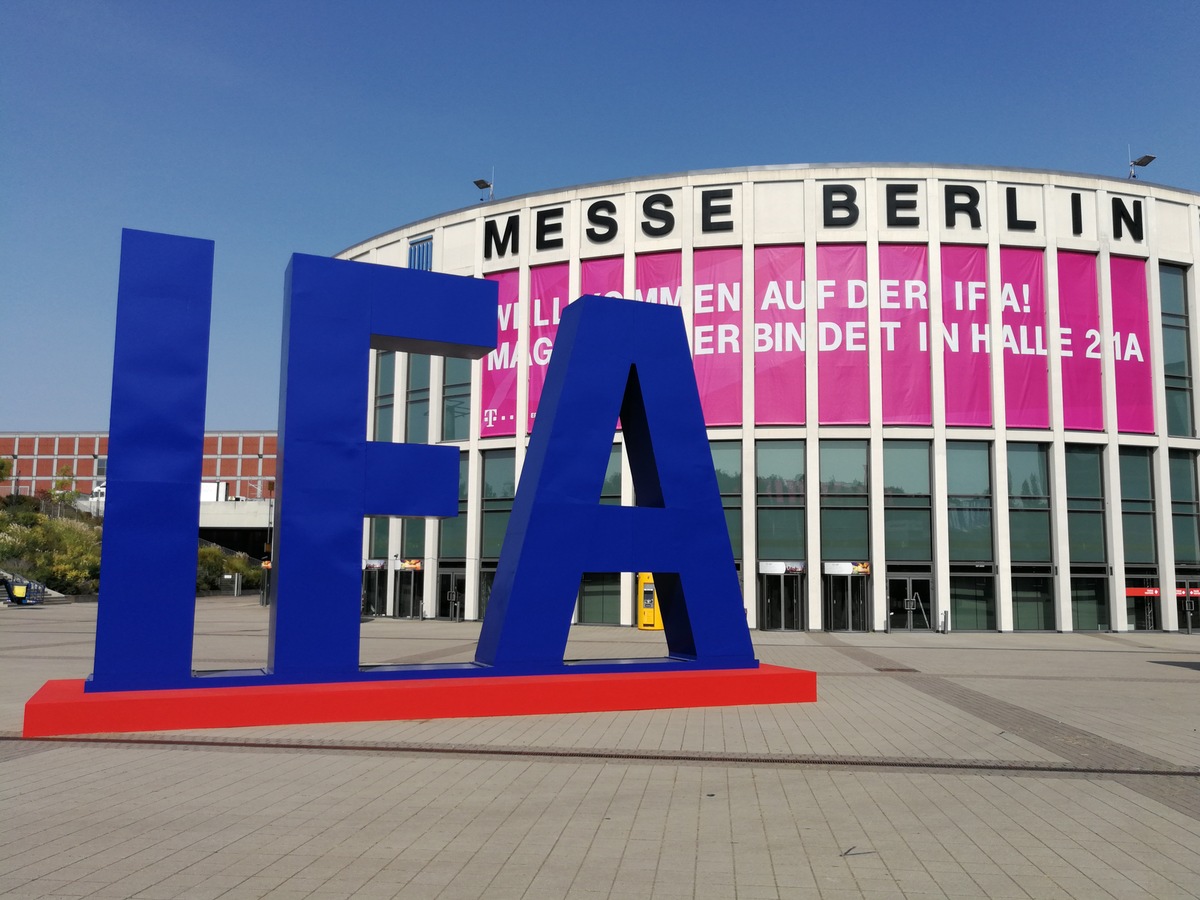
(933,766)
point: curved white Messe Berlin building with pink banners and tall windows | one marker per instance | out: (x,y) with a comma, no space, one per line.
(937,397)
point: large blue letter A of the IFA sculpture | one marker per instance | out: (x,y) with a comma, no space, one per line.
(629,359)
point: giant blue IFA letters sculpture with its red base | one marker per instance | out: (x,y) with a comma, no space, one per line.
(613,358)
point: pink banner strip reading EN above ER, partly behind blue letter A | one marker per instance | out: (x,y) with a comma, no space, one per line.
(717,334)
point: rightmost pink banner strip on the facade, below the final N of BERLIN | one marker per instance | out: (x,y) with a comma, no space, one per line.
(1131,346)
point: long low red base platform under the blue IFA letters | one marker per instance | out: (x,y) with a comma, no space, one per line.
(64,709)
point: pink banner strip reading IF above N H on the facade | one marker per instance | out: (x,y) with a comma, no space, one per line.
(965,340)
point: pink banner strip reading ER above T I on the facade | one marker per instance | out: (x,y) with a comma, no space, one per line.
(904,339)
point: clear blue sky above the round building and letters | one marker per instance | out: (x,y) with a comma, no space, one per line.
(293,127)
